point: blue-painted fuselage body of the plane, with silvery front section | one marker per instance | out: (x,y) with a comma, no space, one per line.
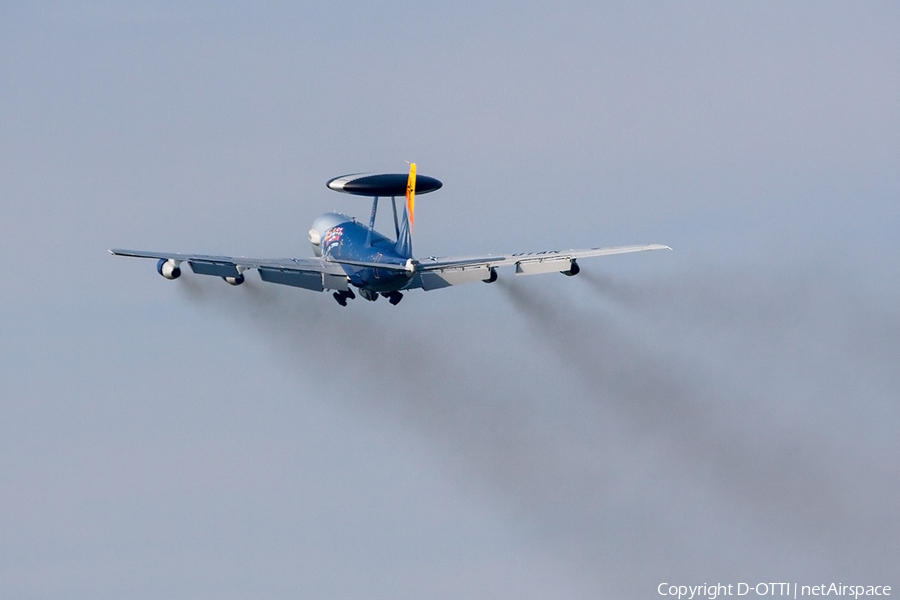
(344,239)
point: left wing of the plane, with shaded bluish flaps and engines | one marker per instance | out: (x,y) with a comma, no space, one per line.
(310,273)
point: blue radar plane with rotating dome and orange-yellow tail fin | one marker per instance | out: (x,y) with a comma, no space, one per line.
(349,254)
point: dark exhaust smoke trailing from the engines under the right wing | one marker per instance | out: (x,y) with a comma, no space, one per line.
(781,476)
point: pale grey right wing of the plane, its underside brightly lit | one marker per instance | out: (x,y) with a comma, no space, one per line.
(434,273)
